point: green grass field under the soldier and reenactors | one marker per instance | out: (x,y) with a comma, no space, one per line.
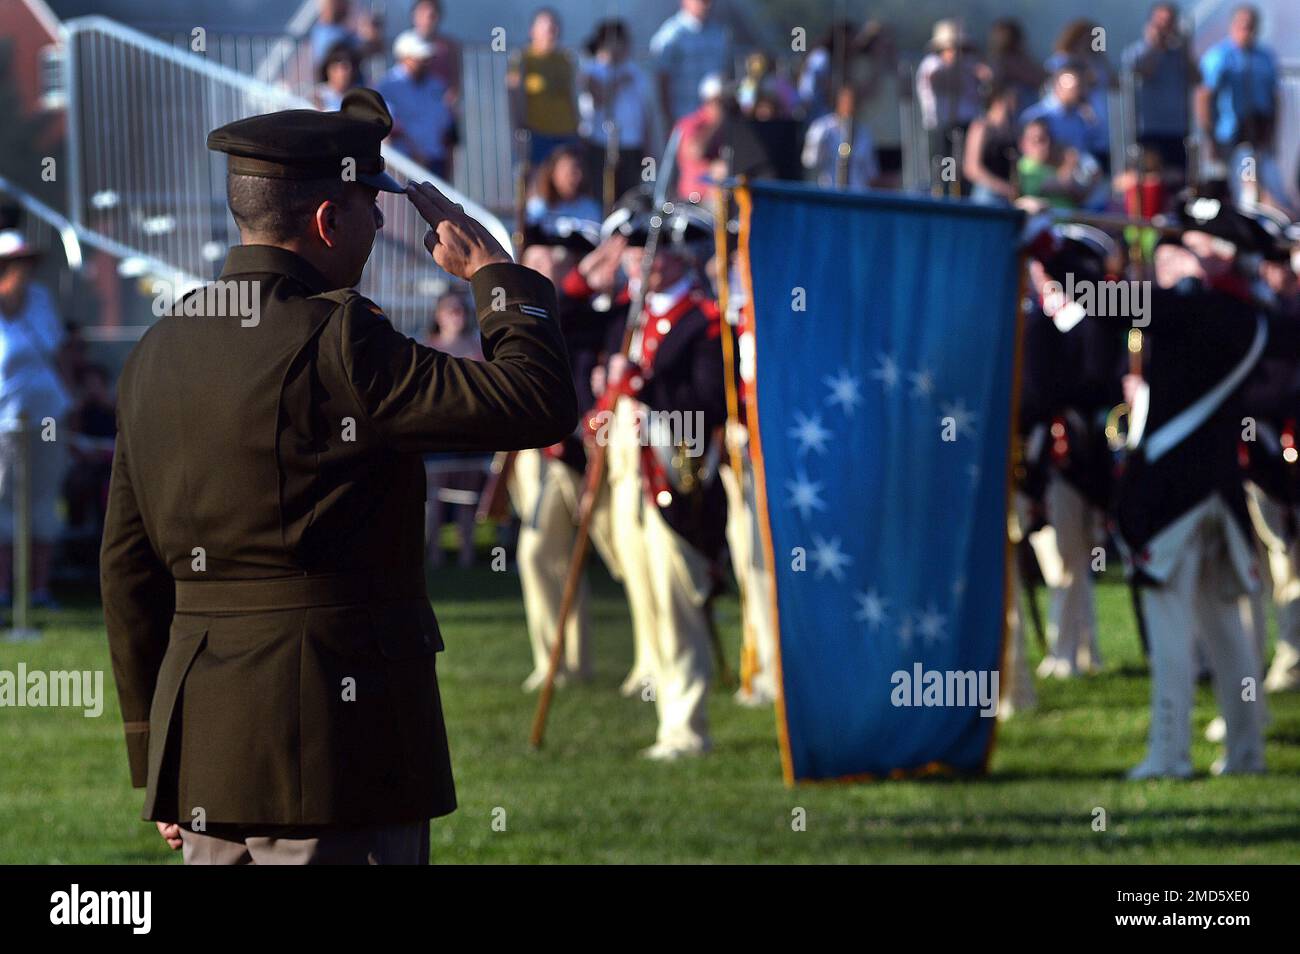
(66,797)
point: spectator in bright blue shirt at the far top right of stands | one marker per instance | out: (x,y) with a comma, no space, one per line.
(1238,99)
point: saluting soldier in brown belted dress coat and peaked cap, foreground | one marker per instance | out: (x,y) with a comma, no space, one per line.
(263,558)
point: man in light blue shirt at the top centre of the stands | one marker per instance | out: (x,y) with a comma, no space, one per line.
(688,47)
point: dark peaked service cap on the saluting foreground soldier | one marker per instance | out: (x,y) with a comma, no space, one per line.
(311,145)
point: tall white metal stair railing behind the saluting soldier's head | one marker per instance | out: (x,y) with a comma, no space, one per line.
(144,181)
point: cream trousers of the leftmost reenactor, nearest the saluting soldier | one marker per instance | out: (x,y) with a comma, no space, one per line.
(547,495)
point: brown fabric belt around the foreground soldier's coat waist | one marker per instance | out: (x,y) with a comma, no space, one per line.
(293,593)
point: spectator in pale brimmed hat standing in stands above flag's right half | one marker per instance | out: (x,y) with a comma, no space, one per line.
(948,85)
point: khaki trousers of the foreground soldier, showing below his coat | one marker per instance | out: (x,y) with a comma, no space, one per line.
(228,844)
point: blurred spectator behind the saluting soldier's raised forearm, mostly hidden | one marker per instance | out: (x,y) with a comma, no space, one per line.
(454,333)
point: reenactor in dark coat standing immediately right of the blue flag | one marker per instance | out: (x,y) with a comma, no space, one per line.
(1072,362)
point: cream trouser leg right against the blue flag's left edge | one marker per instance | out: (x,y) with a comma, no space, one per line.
(747,550)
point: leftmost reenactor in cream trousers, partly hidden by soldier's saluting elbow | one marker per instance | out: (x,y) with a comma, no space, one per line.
(547,485)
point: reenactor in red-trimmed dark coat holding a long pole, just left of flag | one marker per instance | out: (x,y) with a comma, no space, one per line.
(664,453)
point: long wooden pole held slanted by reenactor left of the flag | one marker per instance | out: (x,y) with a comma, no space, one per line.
(596,461)
